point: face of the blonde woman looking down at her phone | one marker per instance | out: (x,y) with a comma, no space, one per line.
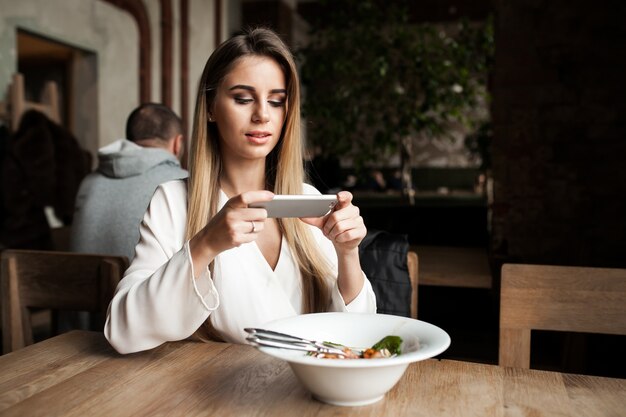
(250,108)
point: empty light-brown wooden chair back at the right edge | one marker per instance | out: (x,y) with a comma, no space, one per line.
(557,298)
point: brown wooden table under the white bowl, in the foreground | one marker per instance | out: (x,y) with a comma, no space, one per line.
(78,374)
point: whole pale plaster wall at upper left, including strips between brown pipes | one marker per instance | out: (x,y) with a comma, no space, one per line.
(107,80)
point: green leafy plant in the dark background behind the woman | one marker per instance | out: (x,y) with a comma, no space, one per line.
(372,78)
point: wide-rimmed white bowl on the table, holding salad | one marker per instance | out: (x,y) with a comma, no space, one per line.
(354,382)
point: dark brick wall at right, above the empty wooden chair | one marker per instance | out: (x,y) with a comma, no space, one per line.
(559,112)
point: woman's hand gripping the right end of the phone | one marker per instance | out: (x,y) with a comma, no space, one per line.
(343,226)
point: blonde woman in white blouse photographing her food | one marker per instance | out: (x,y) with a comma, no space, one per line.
(208,264)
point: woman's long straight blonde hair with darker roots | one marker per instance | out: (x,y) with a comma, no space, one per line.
(284,172)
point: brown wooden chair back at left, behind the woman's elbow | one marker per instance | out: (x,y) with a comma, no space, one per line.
(53,280)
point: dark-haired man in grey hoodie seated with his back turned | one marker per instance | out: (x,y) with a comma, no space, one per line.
(112,200)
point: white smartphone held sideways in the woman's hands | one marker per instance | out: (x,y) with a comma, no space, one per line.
(304,205)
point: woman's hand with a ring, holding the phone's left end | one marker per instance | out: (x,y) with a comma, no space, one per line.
(233,225)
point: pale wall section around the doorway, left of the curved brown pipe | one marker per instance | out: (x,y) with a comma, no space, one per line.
(106,65)
